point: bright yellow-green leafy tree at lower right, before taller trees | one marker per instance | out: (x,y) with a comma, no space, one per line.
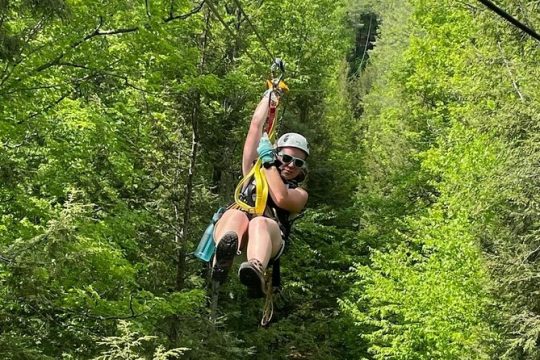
(429,297)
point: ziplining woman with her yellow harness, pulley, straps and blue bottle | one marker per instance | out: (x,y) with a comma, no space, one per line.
(267,200)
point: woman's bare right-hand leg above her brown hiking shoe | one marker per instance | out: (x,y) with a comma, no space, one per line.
(264,239)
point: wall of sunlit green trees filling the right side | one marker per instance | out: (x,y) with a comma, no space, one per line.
(447,143)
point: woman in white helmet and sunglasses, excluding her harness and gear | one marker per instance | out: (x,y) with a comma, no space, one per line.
(264,236)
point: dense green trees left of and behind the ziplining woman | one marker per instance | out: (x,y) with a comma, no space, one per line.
(121,132)
